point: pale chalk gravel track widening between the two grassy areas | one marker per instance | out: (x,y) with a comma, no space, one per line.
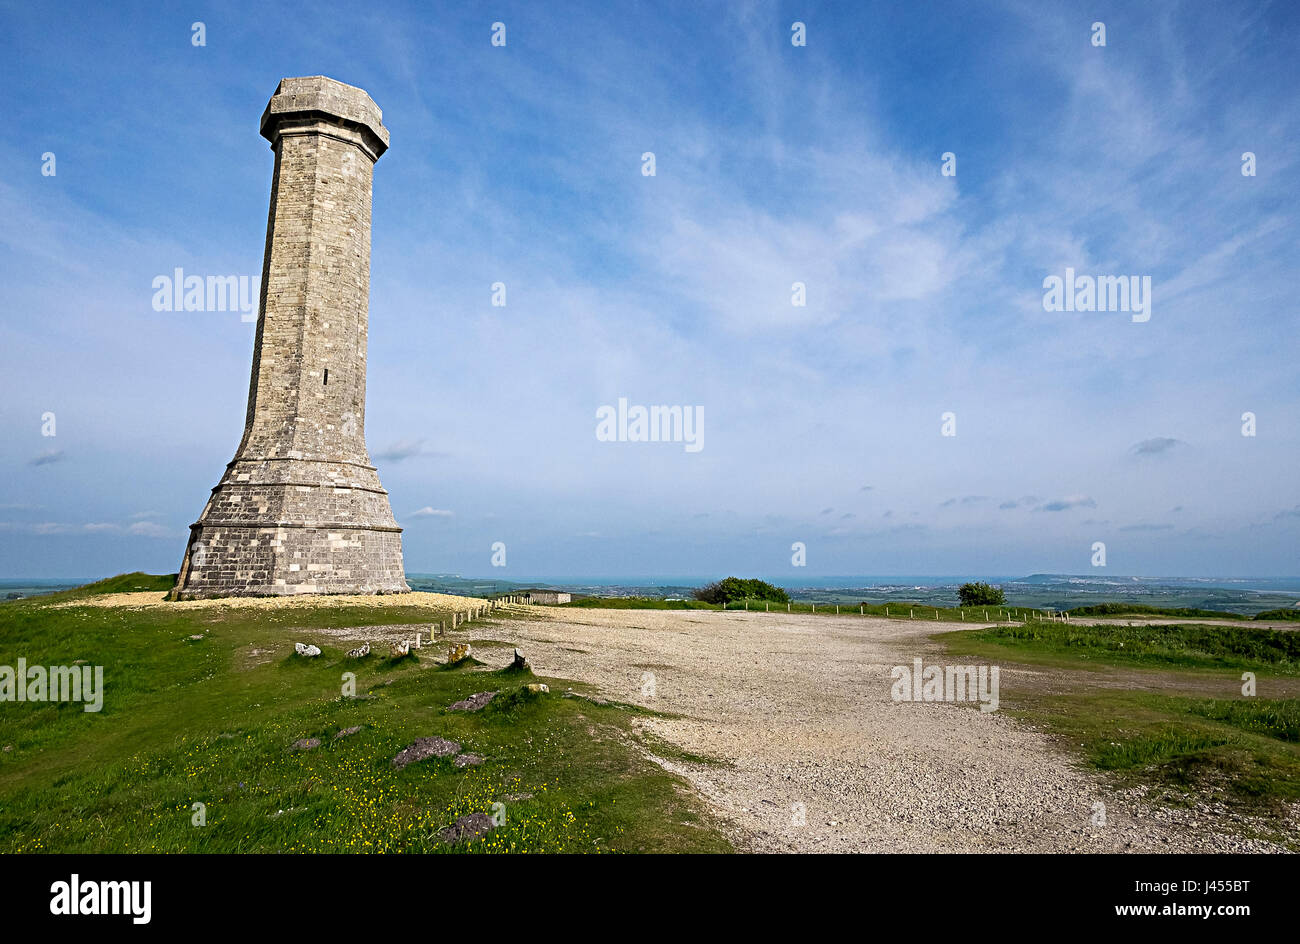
(799,711)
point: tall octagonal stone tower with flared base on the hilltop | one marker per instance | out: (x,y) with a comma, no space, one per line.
(301,509)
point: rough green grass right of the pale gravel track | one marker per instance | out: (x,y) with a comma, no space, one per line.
(1243,752)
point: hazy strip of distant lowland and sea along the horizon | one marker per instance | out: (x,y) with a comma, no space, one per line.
(1059,591)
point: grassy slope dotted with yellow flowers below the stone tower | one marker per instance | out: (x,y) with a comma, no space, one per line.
(206,722)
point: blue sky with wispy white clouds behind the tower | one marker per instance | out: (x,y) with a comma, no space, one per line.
(775,164)
